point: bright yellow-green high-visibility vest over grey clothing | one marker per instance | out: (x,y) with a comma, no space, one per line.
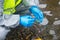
(9,6)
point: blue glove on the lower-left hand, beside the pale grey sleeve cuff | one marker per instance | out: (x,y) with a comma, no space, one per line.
(27,20)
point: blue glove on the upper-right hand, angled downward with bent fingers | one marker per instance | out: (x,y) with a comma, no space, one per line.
(37,13)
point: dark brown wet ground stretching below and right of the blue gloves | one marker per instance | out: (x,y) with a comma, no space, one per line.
(21,33)
